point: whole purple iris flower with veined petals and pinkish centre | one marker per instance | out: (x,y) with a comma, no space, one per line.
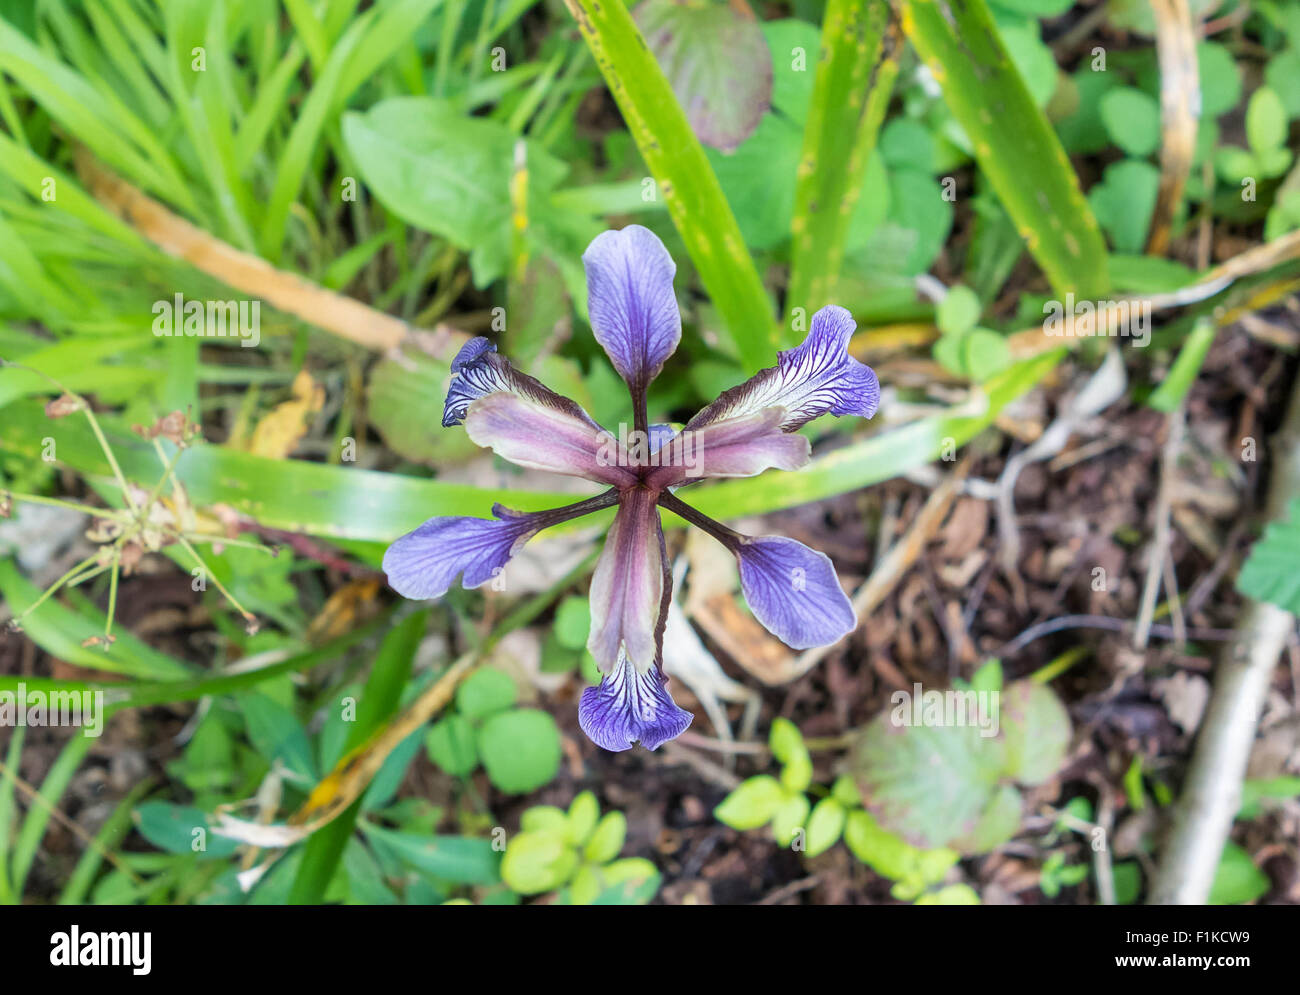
(792,590)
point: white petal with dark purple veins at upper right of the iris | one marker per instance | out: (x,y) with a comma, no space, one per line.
(816,379)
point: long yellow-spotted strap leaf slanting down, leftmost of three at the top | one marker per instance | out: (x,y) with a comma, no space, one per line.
(677,161)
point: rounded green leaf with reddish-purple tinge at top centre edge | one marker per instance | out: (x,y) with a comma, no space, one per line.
(717,63)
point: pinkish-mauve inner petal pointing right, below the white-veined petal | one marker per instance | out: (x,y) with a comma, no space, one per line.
(731,448)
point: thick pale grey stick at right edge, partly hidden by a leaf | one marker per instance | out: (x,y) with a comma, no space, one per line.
(1204,814)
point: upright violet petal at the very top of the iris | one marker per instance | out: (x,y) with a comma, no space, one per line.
(631,304)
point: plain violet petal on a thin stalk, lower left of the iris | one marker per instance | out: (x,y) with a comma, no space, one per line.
(424,564)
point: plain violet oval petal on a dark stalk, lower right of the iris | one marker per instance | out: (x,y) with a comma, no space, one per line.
(794,591)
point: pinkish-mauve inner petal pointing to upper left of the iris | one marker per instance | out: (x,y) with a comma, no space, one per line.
(547,438)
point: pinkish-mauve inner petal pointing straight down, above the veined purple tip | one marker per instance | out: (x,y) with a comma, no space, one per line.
(627,586)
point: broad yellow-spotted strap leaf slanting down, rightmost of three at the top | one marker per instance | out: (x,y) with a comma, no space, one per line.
(1016,146)
